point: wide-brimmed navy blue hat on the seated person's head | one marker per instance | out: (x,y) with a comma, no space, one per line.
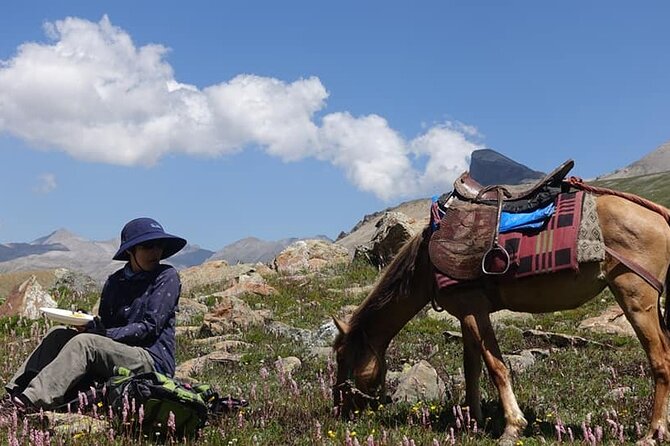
(143,230)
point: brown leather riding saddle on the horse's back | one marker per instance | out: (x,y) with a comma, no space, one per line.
(466,246)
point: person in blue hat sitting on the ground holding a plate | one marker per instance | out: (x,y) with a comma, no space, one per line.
(135,328)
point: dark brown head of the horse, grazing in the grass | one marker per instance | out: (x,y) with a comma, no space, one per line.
(361,371)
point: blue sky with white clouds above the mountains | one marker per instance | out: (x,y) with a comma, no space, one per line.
(278,119)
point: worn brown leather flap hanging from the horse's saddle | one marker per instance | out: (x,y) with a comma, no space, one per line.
(464,236)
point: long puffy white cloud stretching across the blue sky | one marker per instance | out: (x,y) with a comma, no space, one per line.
(92,93)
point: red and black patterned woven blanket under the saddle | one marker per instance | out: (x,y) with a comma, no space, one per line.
(552,248)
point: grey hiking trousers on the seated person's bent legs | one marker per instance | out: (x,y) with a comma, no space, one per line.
(65,357)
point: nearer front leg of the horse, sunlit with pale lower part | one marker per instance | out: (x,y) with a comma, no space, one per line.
(478,325)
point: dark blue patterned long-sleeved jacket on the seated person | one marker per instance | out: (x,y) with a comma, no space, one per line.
(140,310)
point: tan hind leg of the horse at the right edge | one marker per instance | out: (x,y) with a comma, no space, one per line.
(639,302)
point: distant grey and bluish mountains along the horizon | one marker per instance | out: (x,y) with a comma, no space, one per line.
(63,249)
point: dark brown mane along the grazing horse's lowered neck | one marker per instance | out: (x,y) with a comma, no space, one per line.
(395,282)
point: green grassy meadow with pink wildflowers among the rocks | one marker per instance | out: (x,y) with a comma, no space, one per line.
(596,394)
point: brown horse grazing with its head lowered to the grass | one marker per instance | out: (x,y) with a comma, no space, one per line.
(408,284)
